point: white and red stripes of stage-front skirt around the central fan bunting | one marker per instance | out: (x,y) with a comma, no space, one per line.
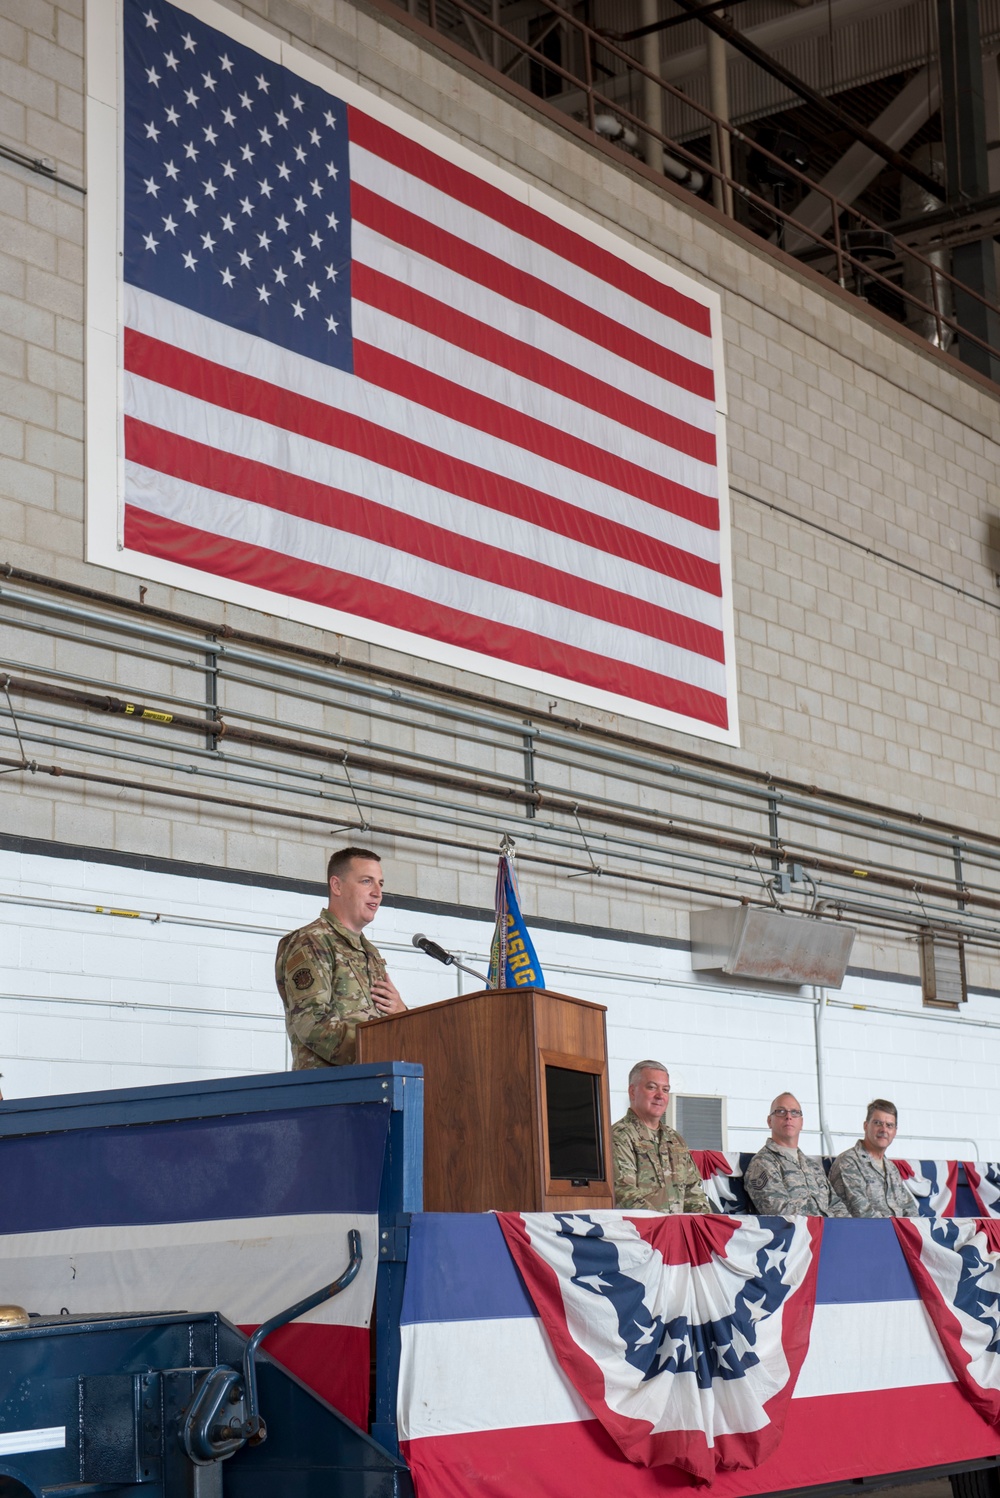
(486,1407)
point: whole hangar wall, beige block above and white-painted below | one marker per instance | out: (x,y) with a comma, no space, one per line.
(866,592)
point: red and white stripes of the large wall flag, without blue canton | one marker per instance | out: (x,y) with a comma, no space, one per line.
(523,462)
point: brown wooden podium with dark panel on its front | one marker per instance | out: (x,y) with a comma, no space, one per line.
(516,1099)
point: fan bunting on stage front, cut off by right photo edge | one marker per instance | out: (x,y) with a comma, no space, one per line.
(956,1265)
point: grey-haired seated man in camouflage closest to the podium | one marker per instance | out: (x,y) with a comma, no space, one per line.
(653,1166)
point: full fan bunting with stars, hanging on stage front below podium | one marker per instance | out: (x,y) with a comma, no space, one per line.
(685,1335)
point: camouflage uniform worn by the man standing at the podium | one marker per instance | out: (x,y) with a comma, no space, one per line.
(324,976)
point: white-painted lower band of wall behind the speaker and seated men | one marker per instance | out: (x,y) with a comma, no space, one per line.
(94,1001)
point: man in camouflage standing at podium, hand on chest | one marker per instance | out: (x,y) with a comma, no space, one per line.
(329,974)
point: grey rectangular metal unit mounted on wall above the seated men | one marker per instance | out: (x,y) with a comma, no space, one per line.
(748,941)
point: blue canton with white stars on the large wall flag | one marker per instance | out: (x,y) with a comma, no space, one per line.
(237,188)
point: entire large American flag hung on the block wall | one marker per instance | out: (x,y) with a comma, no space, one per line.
(366,377)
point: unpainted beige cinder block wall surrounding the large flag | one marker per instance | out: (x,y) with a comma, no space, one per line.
(862,474)
